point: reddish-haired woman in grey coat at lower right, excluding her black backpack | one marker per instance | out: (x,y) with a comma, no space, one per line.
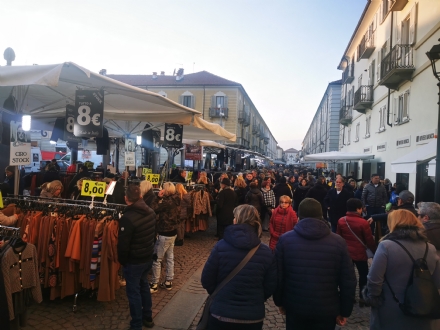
(392,269)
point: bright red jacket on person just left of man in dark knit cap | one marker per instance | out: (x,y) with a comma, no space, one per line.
(281,221)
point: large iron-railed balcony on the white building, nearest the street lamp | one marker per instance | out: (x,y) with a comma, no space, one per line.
(397,66)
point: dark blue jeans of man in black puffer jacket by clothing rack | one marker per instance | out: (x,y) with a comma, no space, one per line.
(138,293)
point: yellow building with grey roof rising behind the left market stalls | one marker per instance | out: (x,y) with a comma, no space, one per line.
(220,101)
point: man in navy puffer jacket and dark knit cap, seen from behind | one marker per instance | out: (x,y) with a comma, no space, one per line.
(316,279)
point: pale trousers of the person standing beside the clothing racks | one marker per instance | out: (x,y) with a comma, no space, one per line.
(164,248)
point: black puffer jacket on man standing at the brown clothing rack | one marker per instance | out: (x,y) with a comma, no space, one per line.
(137,229)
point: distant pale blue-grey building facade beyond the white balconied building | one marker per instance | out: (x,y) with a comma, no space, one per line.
(323,133)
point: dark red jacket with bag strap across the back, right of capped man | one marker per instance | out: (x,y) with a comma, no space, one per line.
(362,230)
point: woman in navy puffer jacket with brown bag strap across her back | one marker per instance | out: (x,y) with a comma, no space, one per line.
(238,240)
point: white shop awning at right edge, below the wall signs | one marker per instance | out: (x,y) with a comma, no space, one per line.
(408,163)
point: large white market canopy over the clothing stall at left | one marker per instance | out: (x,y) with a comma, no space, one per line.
(44,90)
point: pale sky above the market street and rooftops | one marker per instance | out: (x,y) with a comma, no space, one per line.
(283,52)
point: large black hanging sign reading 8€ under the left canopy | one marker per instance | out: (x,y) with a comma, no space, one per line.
(88,114)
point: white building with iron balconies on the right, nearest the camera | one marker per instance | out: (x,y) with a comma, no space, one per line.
(389,93)
